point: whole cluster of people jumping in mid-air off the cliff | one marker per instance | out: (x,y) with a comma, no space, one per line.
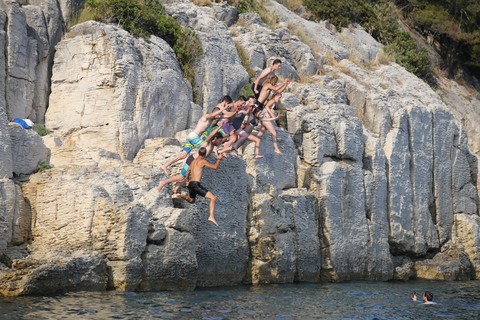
(229,124)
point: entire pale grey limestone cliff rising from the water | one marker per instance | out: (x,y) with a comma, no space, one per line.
(378,181)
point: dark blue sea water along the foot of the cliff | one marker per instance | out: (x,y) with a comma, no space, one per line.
(350,300)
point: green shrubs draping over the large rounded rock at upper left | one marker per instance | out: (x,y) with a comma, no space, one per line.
(146,17)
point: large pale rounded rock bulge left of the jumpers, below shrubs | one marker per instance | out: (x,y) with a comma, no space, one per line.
(110,114)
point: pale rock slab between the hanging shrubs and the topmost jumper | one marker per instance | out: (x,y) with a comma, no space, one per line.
(218,72)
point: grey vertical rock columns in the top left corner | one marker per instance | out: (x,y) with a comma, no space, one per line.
(32,31)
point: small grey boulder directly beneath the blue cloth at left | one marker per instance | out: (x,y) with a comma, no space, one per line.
(27,149)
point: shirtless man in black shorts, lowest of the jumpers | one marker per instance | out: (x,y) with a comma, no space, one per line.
(194,186)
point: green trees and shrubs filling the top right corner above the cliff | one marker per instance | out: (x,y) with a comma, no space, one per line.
(454,26)
